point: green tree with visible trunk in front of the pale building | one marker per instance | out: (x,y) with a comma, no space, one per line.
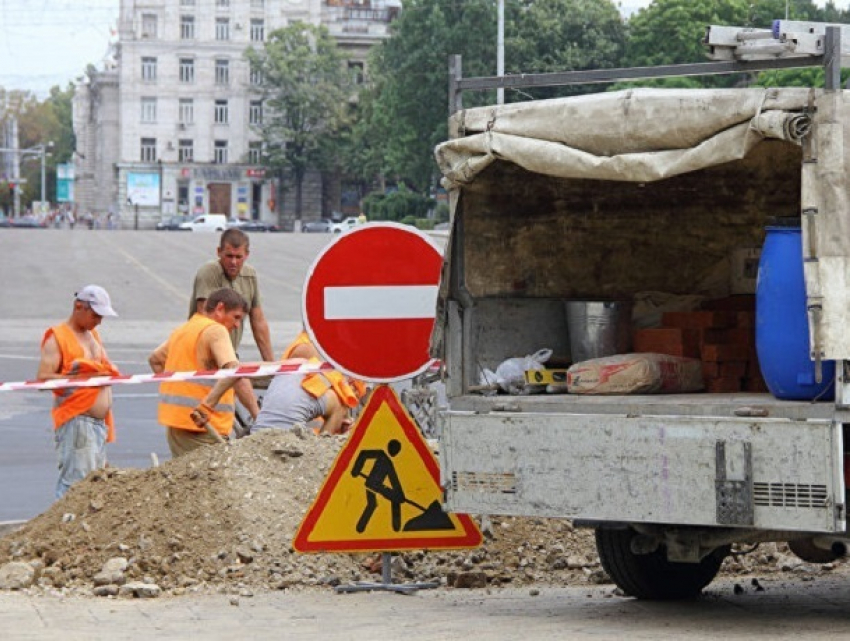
(305,90)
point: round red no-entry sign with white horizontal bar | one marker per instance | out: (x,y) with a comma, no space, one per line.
(370,299)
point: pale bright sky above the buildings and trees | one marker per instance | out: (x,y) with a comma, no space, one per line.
(49,42)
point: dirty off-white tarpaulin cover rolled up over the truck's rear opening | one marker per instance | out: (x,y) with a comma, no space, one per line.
(644,135)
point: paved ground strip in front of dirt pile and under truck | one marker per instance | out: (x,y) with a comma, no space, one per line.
(783,611)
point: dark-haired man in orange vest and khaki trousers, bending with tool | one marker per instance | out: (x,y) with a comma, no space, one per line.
(202,343)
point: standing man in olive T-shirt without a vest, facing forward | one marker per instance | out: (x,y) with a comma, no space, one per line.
(230,270)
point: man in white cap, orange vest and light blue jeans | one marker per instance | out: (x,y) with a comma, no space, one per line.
(82,416)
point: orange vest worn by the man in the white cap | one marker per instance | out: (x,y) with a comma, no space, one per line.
(73,401)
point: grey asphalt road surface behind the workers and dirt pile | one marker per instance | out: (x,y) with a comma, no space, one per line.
(148,275)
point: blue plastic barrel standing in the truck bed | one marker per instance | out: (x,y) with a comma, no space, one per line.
(782,324)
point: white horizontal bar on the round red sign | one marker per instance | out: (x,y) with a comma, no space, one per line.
(380,302)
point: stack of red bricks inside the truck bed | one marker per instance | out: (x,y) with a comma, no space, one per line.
(722,335)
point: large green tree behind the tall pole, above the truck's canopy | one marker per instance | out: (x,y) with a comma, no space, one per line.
(409,97)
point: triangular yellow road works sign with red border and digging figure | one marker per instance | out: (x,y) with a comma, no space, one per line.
(383,491)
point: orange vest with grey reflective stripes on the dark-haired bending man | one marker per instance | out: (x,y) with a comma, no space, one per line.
(177,399)
